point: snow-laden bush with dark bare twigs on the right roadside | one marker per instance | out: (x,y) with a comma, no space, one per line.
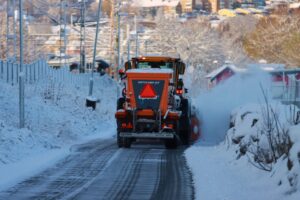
(268,136)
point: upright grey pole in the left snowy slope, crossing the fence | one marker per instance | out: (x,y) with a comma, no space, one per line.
(21,73)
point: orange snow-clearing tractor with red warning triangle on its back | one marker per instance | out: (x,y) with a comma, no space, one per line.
(154,103)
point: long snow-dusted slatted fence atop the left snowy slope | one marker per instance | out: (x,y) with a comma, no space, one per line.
(40,71)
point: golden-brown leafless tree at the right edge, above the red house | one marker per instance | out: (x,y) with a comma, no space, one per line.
(276,39)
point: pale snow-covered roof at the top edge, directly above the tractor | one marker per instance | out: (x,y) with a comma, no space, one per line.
(155,3)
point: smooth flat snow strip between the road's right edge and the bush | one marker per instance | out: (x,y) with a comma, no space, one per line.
(219,176)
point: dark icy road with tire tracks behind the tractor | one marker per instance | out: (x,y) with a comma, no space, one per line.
(100,170)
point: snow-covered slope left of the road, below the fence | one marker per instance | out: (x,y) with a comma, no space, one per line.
(56,118)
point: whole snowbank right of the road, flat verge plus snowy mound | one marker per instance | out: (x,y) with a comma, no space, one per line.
(232,171)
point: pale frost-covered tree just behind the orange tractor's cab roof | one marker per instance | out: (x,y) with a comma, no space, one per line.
(194,41)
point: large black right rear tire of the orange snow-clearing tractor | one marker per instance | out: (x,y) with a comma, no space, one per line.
(185,122)
